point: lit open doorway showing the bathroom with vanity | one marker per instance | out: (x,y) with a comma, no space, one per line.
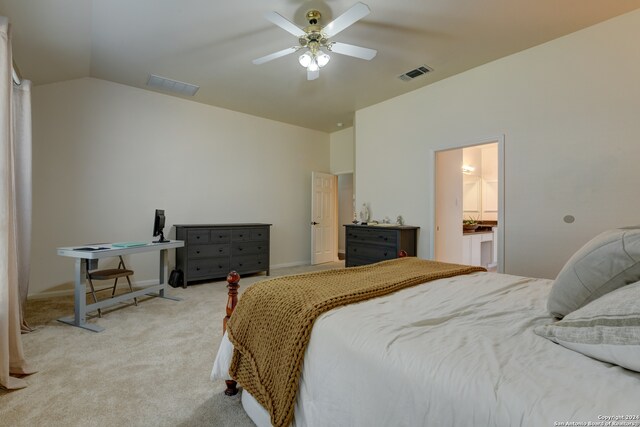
(469,190)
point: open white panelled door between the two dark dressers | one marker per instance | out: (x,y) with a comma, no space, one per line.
(324,217)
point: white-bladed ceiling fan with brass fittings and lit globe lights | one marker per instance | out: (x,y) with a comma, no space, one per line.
(315,38)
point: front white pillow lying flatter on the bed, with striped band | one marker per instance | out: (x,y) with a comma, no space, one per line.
(606,329)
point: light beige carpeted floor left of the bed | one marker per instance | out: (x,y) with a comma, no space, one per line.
(149,367)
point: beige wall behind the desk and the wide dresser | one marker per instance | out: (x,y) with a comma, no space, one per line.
(106,155)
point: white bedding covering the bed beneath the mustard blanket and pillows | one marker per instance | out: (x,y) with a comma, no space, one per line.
(458,351)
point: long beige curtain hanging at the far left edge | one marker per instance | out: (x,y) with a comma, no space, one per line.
(14,137)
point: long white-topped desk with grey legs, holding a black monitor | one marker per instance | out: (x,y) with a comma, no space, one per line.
(81,307)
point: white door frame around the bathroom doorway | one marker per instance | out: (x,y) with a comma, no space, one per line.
(500,139)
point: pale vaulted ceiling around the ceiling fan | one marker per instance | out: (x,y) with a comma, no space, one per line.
(212,44)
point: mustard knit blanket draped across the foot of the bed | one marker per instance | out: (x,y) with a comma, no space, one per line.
(271,325)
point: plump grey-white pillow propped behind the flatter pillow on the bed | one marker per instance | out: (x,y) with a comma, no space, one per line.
(609,261)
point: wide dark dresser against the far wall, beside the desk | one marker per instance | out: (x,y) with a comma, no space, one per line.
(212,250)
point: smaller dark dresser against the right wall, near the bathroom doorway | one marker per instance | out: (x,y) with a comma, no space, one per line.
(366,244)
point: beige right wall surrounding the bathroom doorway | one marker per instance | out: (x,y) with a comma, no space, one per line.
(568,111)
